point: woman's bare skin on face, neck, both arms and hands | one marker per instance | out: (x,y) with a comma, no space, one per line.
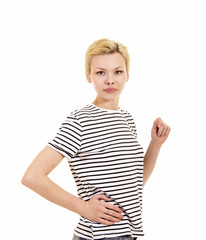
(107,71)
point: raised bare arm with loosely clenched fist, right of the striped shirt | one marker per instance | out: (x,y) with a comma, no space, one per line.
(160,132)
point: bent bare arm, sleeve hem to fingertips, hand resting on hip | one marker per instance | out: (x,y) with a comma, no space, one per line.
(36,178)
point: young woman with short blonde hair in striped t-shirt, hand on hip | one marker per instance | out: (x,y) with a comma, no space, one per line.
(105,157)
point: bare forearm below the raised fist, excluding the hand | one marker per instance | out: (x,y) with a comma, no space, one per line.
(150,159)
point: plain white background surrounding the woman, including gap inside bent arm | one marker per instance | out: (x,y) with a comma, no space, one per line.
(42,47)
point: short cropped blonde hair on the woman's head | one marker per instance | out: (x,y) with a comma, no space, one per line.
(105,46)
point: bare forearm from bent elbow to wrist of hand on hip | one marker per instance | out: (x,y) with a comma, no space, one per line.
(45,187)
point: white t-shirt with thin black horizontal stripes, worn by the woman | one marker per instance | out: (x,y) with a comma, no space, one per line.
(105,157)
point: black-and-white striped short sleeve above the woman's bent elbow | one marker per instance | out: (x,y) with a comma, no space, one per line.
(68,139)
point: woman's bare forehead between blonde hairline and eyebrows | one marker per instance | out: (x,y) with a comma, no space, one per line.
(108,61)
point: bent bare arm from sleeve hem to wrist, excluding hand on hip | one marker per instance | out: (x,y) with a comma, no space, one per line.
(36,178)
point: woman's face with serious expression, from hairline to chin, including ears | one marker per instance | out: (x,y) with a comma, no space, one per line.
(108,75)
